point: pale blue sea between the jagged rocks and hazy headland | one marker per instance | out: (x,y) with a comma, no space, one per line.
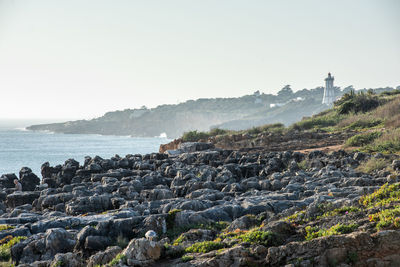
(21,148)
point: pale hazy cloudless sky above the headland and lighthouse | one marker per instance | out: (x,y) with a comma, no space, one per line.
(78,59)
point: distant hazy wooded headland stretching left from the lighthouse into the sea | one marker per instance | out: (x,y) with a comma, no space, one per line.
(201,114)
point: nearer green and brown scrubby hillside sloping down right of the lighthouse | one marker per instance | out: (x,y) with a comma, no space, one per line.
(366,121)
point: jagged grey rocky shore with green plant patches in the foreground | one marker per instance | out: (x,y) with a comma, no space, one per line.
(204,206)
